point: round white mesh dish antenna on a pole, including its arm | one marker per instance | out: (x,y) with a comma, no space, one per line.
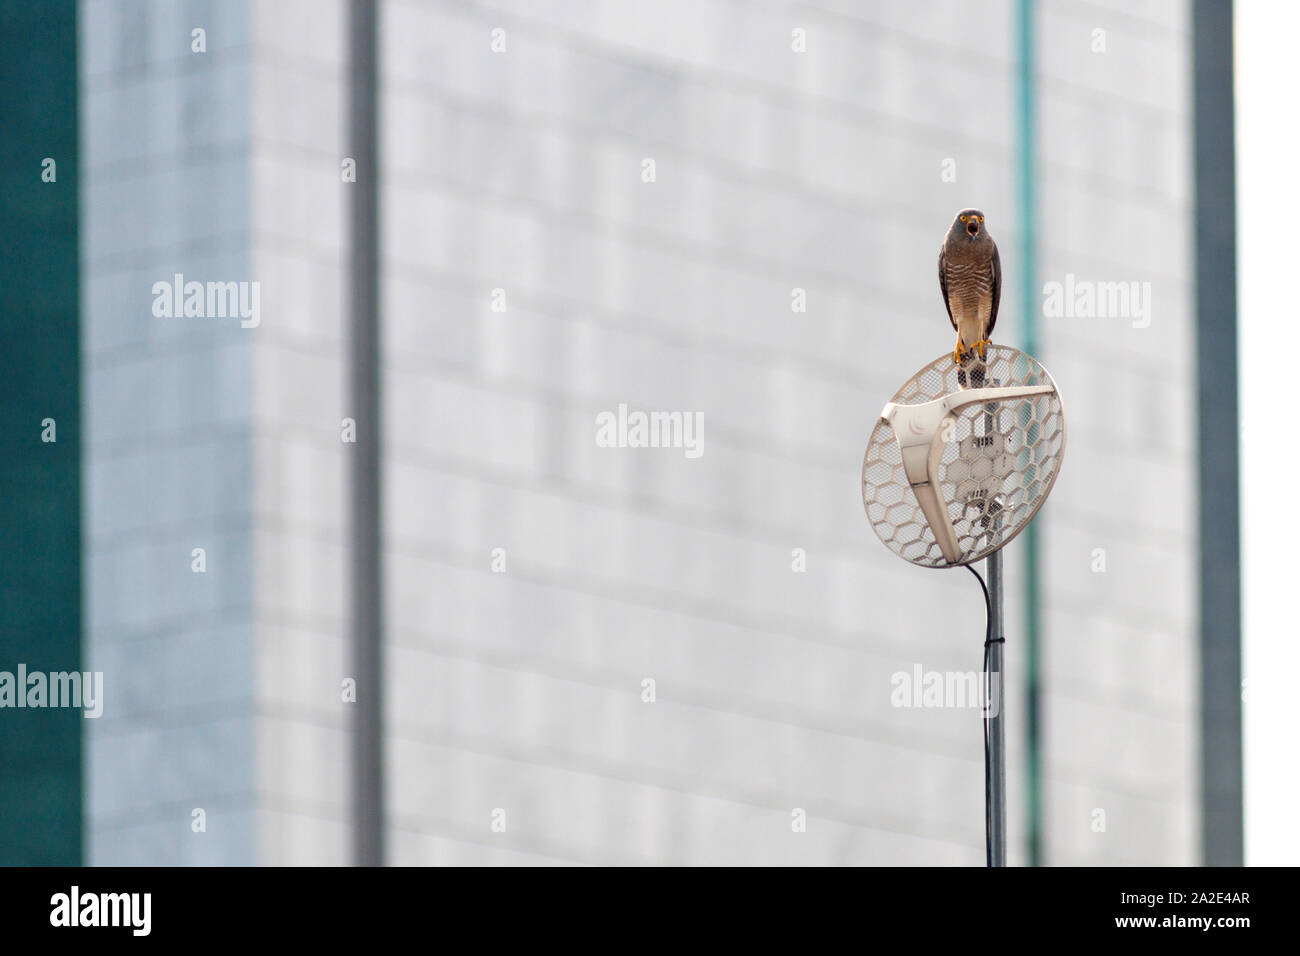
(964,457)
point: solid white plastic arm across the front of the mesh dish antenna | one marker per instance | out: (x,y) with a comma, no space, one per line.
(918,430)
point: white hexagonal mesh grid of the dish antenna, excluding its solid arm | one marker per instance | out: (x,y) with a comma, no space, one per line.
(1000,461)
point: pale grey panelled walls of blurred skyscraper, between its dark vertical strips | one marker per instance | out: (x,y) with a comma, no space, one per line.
(625,655)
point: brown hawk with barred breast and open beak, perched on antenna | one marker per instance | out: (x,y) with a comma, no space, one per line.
(970,276)
